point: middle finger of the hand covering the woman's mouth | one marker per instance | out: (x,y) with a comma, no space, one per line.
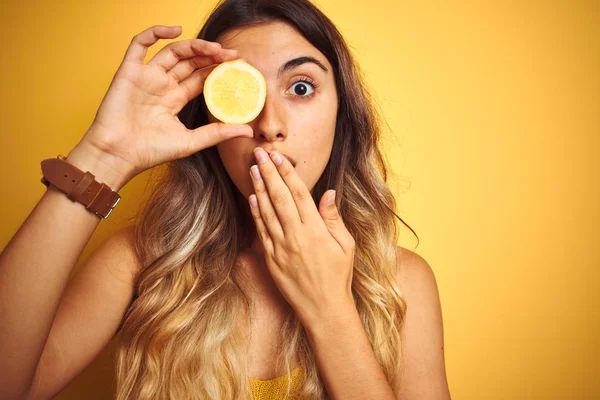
(278,193)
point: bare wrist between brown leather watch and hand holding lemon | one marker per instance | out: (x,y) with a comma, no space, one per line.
(101,165)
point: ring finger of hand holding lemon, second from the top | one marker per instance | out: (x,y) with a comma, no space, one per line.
(172,53)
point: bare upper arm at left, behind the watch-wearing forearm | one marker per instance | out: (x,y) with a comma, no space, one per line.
(89,314)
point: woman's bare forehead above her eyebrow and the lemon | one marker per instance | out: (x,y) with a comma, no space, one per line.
(269,45)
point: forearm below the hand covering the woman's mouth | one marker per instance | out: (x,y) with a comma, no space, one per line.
(345,357)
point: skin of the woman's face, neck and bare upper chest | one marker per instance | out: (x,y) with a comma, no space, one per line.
(302,127)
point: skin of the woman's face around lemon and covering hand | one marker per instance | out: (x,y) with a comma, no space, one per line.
(300,126)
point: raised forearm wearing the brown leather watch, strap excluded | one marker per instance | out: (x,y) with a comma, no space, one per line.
(35,267)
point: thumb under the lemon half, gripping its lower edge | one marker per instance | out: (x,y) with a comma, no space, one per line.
(212,134)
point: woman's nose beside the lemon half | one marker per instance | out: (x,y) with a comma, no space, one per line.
(270,125)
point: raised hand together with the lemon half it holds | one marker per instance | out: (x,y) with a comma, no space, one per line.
(136,126)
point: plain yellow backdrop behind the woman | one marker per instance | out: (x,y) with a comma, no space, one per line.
(494,109)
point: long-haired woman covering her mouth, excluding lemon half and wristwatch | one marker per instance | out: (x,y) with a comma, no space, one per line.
(231,283)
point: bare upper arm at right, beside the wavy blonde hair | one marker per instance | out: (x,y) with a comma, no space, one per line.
(423,372)
